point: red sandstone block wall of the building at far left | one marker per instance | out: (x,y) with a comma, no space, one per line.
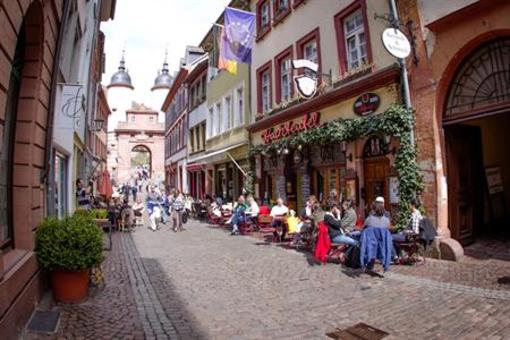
(20,286)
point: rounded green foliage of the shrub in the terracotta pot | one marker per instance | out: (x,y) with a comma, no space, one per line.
(74,243)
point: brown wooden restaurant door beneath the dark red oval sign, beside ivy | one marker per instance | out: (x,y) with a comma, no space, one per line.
(377,173)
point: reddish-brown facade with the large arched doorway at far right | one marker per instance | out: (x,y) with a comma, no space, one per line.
(461,94)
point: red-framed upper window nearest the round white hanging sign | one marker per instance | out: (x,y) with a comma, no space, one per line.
(353,36)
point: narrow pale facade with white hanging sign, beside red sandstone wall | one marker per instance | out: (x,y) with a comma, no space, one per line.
(80,71)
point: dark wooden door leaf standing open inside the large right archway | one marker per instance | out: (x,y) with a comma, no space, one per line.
(465,176)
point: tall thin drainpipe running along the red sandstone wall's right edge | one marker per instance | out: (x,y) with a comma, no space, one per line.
(48,152)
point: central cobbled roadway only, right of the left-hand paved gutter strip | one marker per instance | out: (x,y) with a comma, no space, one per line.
(214,286)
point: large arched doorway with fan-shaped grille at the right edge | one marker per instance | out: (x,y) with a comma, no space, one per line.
(476,121)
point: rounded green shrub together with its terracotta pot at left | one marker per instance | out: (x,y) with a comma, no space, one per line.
(68,248)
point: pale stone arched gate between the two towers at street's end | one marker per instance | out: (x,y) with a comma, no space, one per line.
(140,145)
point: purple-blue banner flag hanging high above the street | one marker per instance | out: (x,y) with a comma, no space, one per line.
(238,35)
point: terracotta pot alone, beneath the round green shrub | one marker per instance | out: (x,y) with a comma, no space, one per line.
(69,286)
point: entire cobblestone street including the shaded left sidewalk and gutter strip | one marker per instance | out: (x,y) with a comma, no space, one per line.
(203,283)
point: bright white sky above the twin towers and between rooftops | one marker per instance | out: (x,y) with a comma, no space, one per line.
(145,28)
